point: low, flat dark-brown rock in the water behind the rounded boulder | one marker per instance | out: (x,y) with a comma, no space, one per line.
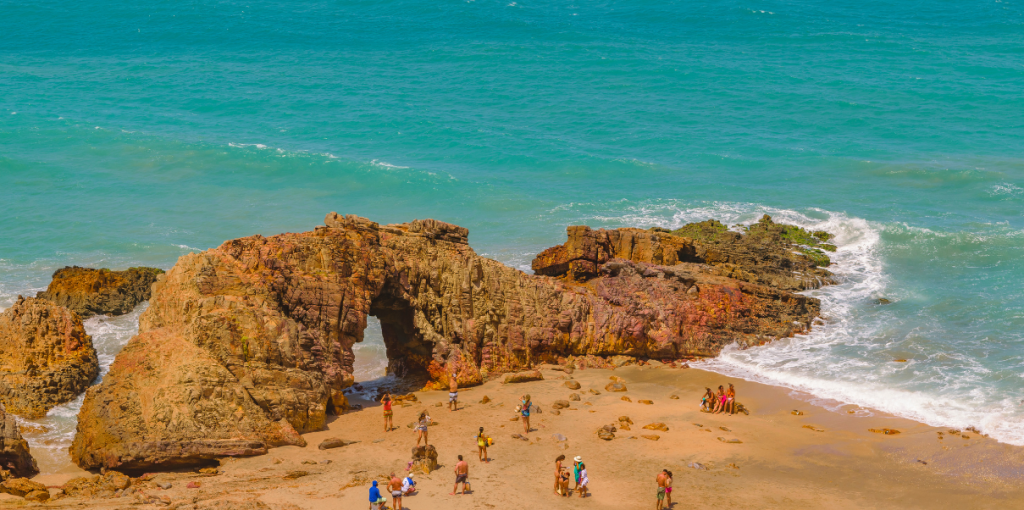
(101,292)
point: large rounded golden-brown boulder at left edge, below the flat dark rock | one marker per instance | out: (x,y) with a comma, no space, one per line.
(47,359)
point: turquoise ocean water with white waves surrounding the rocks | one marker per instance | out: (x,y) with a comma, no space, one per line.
(132,135)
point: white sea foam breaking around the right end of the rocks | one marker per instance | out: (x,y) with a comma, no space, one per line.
(847,358)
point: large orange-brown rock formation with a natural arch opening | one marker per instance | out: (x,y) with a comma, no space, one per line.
(247,345)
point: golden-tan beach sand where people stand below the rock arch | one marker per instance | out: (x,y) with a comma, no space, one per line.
(821,459)
